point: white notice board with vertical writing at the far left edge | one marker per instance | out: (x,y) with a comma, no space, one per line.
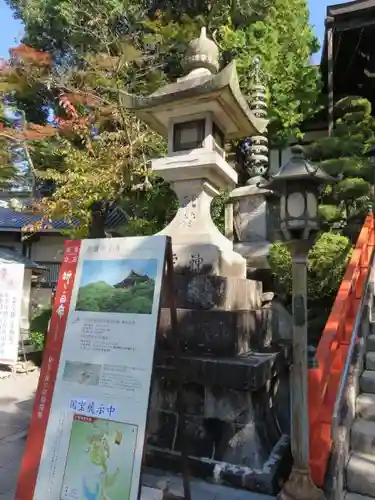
(11,293)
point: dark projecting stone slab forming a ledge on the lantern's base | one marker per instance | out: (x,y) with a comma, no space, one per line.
(248,372)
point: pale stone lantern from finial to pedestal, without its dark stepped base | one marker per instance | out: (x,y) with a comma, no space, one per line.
(197,115)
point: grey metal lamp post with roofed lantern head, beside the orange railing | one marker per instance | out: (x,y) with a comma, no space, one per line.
(297,184)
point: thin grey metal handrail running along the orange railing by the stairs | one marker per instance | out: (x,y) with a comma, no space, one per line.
(353,343)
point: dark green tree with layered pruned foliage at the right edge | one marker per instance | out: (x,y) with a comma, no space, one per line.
(343,155)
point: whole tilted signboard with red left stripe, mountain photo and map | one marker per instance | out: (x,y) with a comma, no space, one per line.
(88,428)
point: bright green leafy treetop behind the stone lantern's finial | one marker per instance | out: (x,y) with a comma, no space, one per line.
(243,30)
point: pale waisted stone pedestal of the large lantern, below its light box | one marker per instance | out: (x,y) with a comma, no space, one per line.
(198,245)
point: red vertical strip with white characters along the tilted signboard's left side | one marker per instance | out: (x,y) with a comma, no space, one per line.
(34,445)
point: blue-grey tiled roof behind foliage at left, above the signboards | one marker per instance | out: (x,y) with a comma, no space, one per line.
(11,220)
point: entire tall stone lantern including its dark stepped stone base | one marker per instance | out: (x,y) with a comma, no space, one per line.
(234,370)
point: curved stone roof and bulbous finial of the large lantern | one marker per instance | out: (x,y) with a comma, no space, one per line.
(201,90)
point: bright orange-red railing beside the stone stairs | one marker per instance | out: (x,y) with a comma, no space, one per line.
(332,352)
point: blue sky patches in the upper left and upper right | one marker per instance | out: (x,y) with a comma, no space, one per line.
(11,30)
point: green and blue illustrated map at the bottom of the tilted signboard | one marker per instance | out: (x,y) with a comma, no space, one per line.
(100,459)
